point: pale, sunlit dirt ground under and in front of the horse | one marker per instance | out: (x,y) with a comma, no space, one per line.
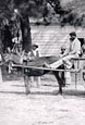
(42,106)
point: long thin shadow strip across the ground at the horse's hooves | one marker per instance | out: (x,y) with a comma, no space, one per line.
(75,93)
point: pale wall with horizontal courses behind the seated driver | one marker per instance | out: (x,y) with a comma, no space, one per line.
(51,38)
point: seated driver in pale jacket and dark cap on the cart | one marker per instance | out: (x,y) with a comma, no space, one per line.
(73,50)
